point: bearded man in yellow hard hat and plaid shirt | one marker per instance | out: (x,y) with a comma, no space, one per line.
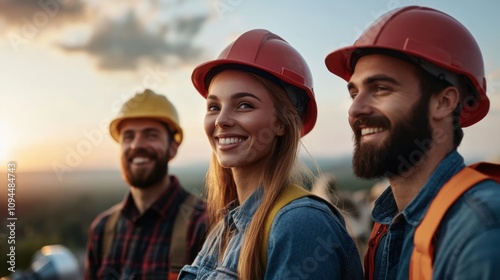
(159,226)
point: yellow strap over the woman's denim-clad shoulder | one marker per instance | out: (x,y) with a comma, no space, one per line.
(289,194)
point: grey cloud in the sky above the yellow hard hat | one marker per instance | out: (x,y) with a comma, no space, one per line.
(121,44)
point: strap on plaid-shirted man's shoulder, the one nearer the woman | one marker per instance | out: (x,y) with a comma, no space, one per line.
(179,244)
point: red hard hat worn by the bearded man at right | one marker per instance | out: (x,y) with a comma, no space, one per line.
(428,34)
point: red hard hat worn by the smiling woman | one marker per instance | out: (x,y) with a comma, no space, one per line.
(266,52)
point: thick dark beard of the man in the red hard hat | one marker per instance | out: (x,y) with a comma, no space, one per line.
(405,147)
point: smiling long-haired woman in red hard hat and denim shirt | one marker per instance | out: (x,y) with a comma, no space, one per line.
(259,103)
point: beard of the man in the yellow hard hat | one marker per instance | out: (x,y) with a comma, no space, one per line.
(145,178)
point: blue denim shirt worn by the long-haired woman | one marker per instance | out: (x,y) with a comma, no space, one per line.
(306,241)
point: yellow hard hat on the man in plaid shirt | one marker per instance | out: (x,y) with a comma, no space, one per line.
(148,105)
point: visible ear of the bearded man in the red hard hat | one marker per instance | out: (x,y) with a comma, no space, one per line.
(444,103)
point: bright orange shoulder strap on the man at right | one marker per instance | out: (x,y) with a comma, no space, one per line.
(422,257)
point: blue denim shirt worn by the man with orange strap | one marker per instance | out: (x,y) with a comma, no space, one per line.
(467,242)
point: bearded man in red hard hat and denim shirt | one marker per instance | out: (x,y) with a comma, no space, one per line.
(416,78)
